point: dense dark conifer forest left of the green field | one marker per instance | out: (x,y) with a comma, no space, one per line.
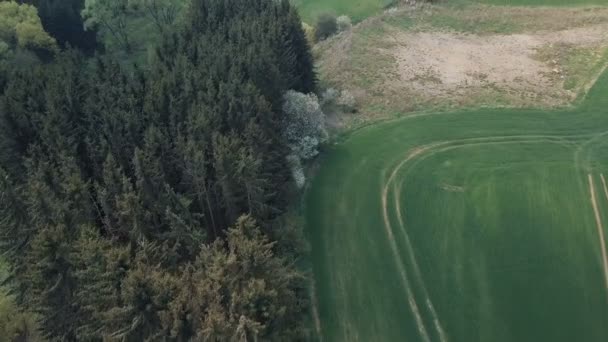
(146,204)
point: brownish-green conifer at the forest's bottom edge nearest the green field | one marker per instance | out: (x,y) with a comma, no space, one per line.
(227,283)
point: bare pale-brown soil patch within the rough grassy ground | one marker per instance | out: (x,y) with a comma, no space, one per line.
(456,65)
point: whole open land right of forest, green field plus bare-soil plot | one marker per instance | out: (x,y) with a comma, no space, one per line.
(473,224)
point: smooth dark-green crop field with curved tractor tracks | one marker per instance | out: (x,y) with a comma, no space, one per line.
(488,218)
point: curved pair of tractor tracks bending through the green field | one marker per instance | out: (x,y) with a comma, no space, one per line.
(426,151)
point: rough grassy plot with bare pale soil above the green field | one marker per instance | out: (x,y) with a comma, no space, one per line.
(435,58)
